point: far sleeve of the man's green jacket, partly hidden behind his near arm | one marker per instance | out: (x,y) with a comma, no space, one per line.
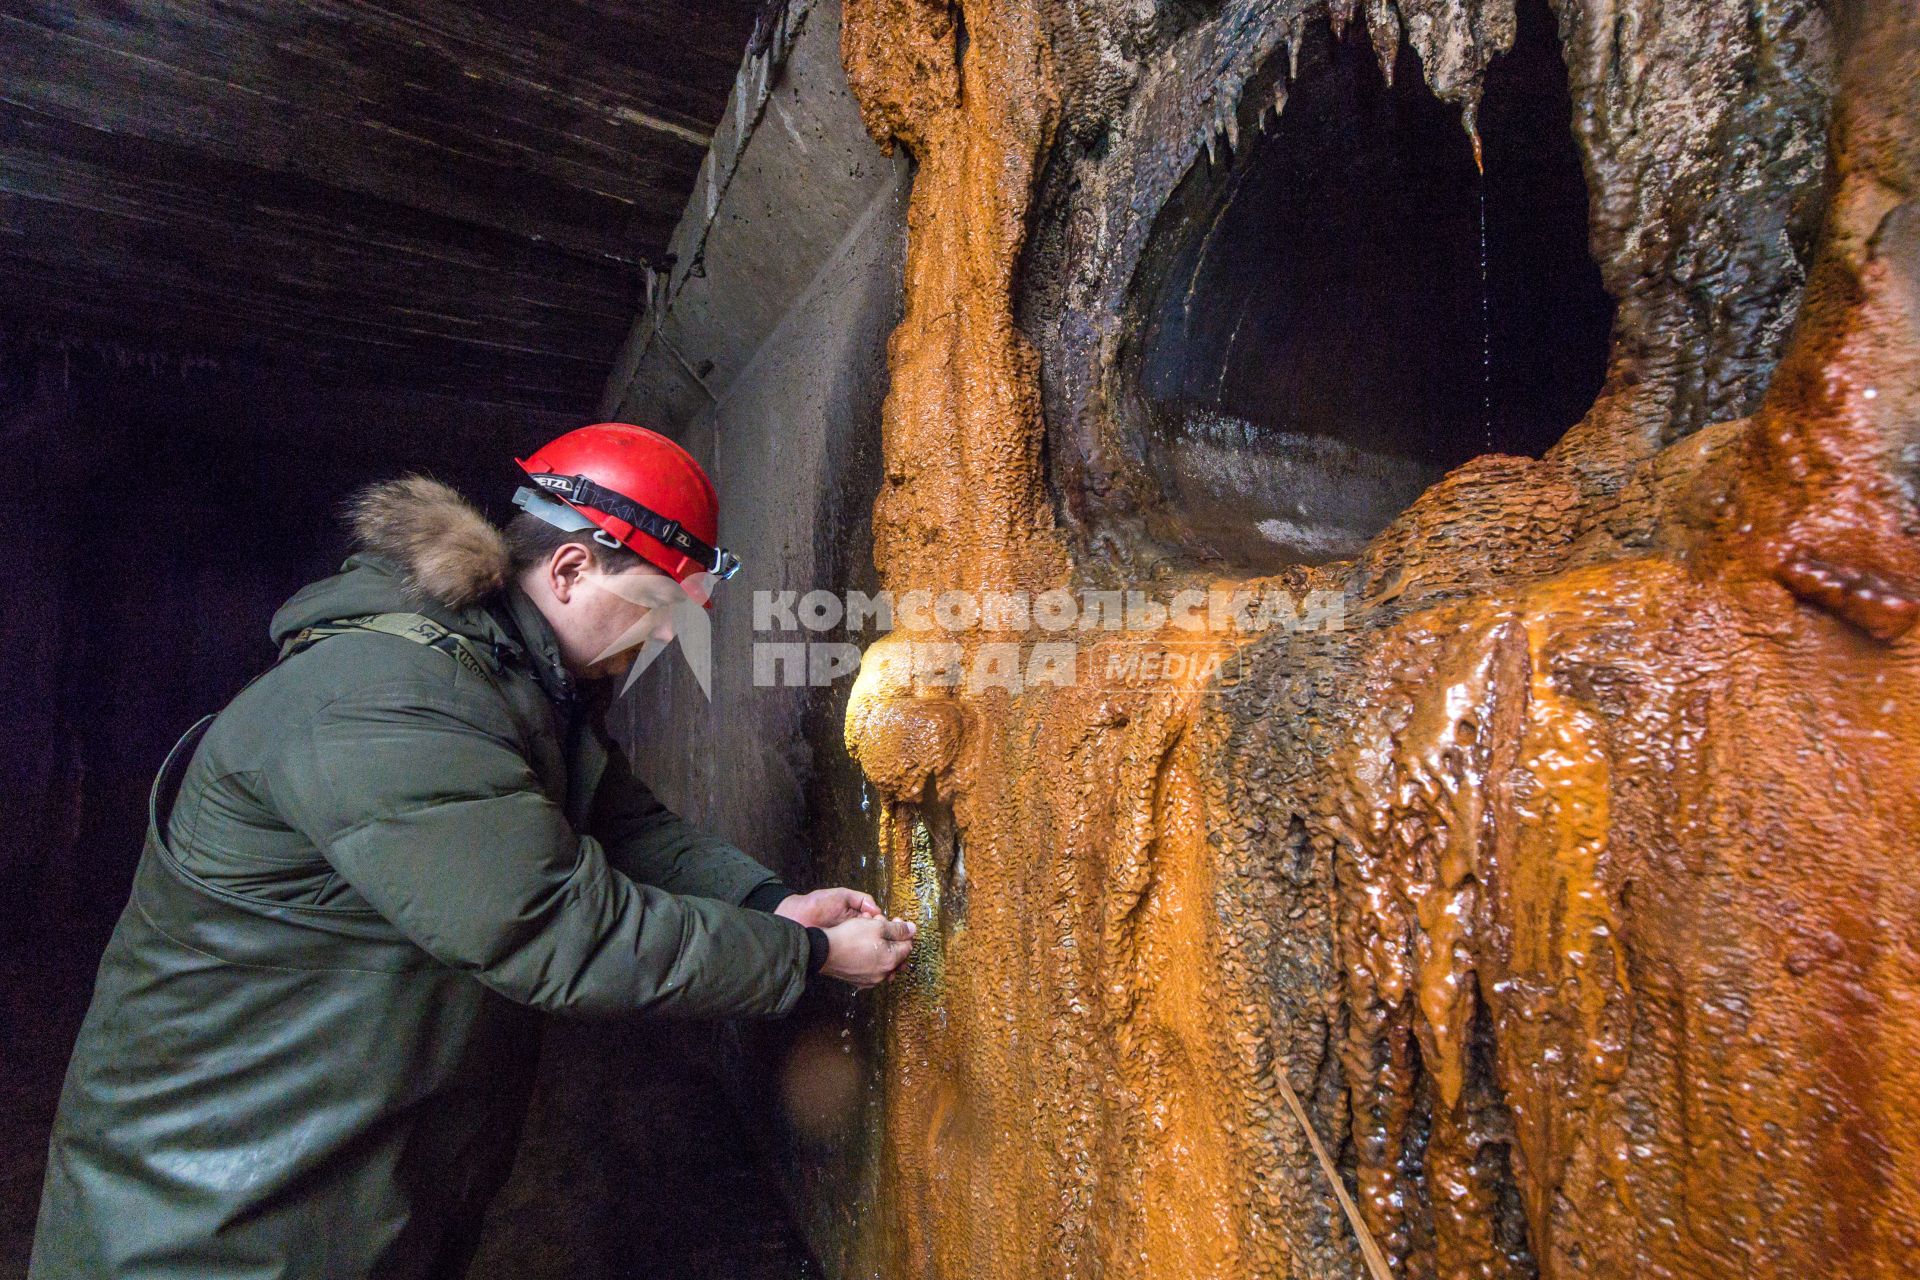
(658,847)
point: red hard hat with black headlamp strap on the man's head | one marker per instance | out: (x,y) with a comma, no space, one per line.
(638,490)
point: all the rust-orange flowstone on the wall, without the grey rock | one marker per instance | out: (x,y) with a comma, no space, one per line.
(1623,903)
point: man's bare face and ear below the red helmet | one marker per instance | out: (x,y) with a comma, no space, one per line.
(604,604)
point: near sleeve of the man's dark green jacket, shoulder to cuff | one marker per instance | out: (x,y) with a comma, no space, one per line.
(439,820)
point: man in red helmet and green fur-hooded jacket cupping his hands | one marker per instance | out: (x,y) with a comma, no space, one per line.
(310,1041)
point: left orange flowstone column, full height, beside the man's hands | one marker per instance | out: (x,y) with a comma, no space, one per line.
(1067,1066)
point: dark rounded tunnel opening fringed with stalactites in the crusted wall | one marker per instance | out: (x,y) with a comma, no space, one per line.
(1347,308)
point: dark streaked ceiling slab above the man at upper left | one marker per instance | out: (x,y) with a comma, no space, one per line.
(446,197)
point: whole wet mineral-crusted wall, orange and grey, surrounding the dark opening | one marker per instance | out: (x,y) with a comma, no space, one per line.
(1568,884)
